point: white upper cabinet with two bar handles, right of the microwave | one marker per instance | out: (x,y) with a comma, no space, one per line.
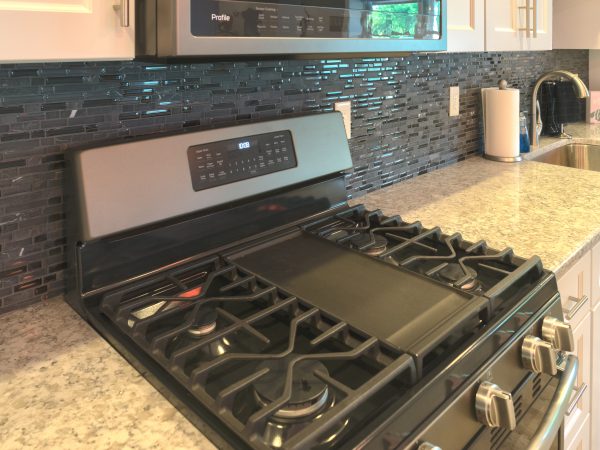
(518,25)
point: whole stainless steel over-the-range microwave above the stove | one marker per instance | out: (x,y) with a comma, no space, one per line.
(197,28)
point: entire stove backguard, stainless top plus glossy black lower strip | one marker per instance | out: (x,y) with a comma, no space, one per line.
(140,206)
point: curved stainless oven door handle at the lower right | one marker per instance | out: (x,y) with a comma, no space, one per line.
(552,421)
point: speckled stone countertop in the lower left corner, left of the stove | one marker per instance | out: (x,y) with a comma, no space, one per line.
(63,387)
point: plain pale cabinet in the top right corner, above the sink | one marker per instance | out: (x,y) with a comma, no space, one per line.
(577,24)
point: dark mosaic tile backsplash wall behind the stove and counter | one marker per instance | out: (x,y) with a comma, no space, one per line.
(401,126)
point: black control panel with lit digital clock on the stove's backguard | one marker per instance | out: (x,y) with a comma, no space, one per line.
(218,163)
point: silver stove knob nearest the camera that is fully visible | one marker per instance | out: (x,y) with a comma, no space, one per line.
(494,407)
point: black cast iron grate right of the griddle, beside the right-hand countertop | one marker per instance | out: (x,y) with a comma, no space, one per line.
(448,259)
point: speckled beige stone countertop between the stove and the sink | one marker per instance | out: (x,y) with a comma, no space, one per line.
(535,208)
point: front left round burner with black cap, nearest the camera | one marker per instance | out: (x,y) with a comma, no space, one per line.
(309,393)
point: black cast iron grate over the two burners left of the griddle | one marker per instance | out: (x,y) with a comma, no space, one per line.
(276,370)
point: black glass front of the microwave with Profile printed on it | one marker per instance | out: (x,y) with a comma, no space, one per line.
(379,19)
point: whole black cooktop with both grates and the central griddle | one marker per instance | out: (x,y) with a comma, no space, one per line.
(301,341)
